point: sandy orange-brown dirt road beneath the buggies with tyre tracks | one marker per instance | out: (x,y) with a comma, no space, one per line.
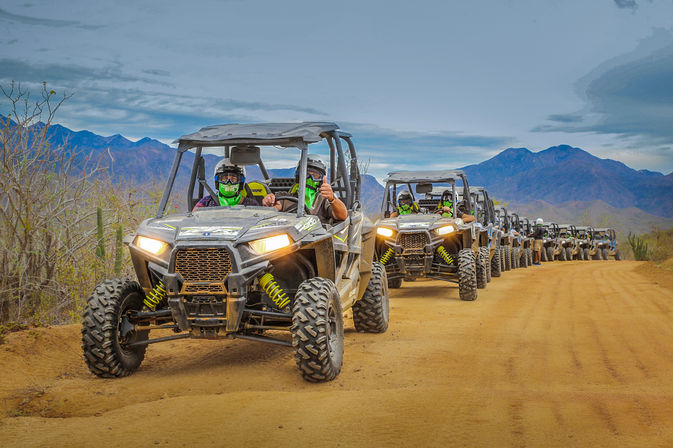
(566,354)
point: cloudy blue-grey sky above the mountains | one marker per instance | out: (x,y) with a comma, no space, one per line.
(425,84)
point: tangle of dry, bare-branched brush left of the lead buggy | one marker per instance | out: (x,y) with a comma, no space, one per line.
(48,200)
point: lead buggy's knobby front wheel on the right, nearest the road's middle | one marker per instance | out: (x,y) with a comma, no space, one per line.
(318,330)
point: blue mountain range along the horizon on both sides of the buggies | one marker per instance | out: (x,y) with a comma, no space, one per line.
(555,177)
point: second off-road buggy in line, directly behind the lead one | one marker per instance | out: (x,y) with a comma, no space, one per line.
(427,244)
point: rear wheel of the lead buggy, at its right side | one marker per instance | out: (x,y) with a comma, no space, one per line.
(371,312)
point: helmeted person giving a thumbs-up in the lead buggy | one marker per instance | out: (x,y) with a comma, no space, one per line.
(319,197)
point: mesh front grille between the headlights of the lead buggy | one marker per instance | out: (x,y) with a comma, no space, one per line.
(203,270)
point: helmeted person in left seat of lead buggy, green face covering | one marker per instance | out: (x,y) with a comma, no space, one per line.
(229,184)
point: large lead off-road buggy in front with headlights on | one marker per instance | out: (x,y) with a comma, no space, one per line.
(242,272)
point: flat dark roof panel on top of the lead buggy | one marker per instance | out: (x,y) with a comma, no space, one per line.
(280,134)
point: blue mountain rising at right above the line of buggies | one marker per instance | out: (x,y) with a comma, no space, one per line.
(562,173)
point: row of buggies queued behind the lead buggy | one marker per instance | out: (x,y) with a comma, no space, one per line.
(453,231)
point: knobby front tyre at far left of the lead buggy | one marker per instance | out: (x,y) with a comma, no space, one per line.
(107,332)
